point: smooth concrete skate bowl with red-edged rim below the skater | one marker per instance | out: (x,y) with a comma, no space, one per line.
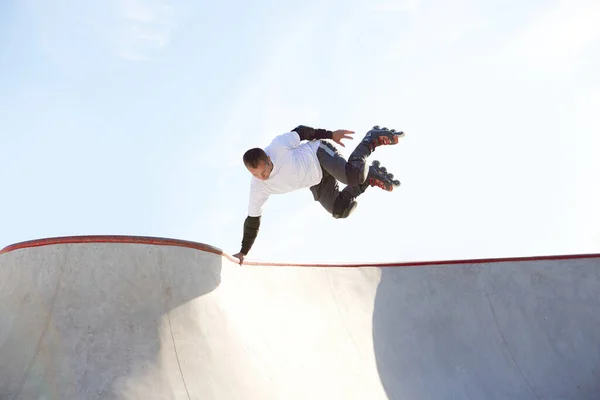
(100,317)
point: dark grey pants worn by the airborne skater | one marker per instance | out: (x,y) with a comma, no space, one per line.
(339,203)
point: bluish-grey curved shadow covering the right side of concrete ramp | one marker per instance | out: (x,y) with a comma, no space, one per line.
(527,330)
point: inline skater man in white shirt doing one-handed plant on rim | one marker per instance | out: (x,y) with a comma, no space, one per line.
(303,158)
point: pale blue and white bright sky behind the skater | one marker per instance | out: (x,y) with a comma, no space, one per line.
(130,117)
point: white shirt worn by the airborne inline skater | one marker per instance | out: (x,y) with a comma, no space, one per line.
(295,166)
